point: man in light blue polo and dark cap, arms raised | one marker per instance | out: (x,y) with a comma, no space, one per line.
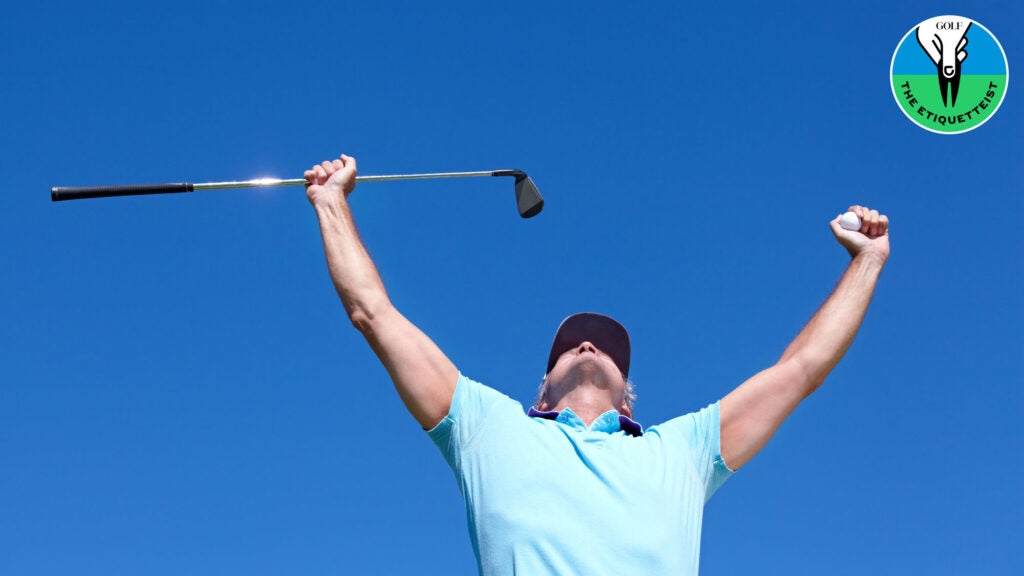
(577,487)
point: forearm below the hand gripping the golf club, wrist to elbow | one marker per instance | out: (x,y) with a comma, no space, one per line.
(355,276)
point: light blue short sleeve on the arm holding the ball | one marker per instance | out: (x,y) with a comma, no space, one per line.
(701,434)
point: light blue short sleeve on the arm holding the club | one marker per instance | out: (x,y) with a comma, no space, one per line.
(472,405)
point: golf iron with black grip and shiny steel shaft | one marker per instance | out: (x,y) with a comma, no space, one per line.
(528,198)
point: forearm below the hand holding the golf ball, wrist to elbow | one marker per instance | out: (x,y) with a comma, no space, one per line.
(826,339)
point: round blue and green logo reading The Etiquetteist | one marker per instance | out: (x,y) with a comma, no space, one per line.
(950,75)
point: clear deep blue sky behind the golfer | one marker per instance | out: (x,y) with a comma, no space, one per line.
(181,391)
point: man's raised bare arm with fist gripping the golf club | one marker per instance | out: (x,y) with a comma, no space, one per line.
(424,378)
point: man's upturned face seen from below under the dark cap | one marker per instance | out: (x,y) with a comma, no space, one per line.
(586,363)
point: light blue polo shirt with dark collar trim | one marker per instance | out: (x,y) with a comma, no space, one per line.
(551,497)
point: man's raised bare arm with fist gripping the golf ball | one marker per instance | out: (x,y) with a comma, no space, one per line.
(752,414)
